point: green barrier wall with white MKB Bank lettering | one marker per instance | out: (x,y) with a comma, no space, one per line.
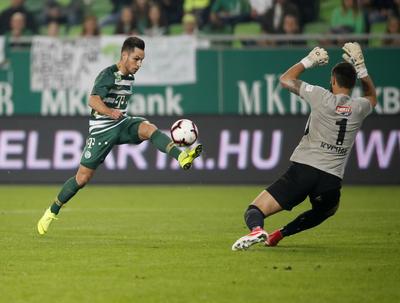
(243,82)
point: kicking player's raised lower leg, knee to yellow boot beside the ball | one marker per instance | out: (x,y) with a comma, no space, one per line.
(164,144)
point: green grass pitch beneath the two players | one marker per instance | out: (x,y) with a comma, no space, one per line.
(173,244)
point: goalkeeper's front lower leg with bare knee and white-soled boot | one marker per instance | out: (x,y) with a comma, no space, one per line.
(263,206)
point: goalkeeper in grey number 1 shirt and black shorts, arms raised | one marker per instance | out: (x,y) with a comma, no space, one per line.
(318,162)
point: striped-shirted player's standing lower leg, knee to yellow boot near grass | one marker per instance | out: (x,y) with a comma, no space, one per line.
(68,190)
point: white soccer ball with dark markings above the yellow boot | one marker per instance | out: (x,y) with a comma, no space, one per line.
(184,132)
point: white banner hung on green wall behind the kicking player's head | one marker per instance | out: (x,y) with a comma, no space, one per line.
(74,64)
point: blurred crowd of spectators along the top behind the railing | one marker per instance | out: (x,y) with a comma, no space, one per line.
(156,17)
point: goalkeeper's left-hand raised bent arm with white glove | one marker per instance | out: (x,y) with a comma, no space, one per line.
(290,79)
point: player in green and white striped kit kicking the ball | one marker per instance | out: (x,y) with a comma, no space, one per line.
(110,125)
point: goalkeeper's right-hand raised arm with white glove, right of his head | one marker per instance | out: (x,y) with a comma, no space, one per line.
(353,54)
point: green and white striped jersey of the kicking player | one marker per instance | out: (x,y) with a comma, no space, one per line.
(115,89)
